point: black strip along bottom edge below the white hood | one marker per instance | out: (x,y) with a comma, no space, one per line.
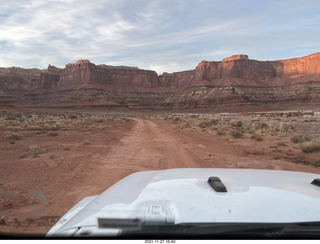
(229,230)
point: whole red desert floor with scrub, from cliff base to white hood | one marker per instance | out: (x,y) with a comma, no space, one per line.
(50,160)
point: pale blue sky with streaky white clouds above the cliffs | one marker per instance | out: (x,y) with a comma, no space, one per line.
(160,35)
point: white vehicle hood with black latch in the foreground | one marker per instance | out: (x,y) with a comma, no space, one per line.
(184,196)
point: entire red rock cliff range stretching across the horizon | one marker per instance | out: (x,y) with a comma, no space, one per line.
(236,80)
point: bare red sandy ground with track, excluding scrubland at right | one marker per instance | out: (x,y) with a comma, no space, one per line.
(43,175)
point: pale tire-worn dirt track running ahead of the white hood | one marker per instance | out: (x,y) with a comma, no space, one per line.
(148,147)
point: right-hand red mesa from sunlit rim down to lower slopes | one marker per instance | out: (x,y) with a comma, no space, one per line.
(239,80)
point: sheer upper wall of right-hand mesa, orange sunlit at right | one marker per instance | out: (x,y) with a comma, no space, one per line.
(260,73)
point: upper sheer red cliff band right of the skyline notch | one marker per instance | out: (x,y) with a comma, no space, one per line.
(239,70)
